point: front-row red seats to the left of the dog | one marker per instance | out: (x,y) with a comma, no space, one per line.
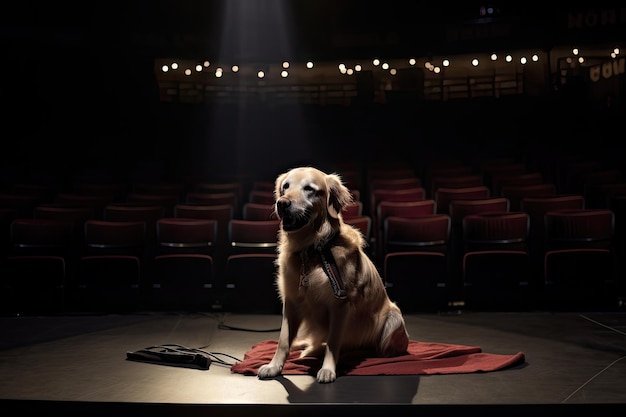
(172,263)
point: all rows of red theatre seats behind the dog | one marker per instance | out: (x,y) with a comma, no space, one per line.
(441,200)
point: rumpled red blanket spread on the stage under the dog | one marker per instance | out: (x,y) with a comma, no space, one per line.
(423,358)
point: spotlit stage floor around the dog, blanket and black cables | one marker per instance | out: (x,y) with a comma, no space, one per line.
(78,363)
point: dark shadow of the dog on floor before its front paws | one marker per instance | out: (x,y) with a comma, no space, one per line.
(355,389)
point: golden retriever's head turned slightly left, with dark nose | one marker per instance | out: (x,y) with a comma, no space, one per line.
(307,196)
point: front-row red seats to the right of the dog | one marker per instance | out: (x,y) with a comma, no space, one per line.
(487,260)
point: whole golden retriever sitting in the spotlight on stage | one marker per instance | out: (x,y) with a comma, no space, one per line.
(334,300)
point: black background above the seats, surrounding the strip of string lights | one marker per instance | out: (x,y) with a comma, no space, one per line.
(80,93)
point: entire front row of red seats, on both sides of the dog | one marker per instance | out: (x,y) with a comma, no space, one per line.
(432,236)
